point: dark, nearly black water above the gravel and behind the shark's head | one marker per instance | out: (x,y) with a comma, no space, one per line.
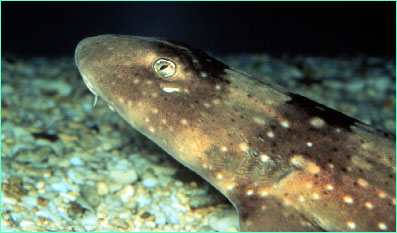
(313,28)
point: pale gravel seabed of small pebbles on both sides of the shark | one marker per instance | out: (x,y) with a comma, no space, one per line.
(66,166)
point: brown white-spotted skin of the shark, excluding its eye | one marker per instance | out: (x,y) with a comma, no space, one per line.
(285,162)
